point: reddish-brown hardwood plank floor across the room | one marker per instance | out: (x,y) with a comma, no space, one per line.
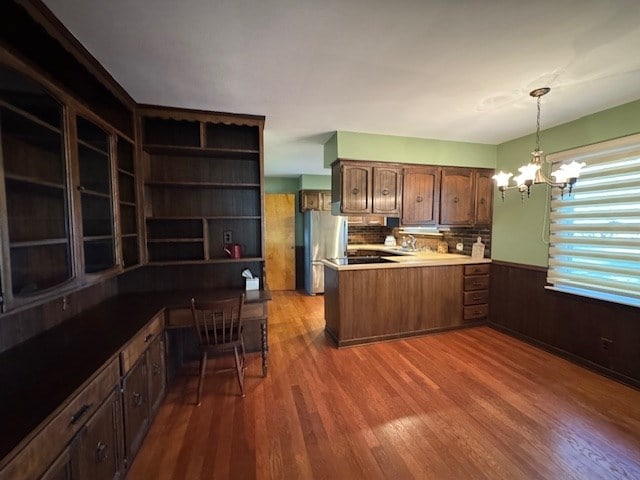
(468,404)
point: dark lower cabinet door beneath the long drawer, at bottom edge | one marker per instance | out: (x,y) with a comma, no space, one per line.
(98,450)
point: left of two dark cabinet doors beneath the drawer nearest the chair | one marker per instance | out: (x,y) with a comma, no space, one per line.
(136,406)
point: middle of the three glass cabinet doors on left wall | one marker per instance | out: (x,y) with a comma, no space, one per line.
(94,161)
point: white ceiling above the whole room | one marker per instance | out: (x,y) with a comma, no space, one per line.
(446,69)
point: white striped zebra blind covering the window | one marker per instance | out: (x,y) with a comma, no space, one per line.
(594,242)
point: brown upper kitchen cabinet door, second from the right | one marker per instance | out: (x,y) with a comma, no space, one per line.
(457,196)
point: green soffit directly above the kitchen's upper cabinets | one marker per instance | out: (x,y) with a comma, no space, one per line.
(388,148)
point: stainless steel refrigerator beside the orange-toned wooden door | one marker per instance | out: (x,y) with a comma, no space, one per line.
(325,236)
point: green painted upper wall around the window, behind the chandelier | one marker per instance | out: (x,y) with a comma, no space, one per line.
(520,229)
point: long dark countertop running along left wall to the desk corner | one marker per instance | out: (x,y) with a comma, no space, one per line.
(39,376)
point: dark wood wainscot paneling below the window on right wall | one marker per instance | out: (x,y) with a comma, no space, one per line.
(568,325)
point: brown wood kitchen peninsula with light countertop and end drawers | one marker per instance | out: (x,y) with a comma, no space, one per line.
(405,294)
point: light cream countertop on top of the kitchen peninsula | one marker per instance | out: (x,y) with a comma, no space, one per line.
(399,258)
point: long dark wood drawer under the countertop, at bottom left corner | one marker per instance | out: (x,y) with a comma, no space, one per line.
(45,447)
